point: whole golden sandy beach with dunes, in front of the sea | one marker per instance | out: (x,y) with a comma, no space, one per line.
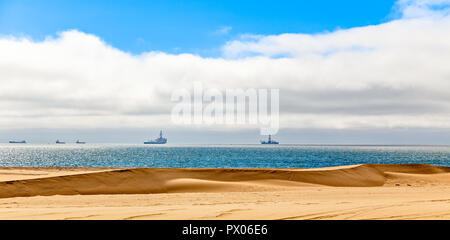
(373,191)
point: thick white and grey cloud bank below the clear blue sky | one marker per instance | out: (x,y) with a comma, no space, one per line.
(391,75)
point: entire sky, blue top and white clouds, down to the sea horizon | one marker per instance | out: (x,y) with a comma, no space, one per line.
(349,72)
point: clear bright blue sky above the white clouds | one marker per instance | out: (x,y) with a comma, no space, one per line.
(198,27)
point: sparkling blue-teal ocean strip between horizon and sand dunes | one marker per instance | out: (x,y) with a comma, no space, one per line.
(214,156)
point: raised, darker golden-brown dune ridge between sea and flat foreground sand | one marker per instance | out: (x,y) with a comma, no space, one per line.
(182,180)
